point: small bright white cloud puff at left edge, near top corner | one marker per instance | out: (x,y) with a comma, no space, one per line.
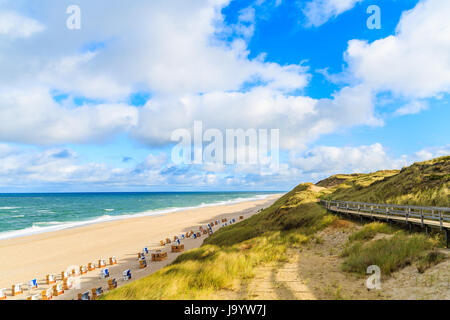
(14,25)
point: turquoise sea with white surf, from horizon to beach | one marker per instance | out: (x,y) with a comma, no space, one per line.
(25,214)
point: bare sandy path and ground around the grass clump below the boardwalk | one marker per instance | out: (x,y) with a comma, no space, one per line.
(313,272)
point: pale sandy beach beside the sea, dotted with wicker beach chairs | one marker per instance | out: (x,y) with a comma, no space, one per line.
(35,256)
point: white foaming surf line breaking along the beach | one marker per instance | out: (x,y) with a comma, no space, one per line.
(51,226)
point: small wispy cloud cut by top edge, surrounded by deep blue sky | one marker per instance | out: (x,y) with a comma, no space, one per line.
(318,12)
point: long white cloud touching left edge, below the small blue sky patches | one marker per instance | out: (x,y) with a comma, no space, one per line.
(32,116)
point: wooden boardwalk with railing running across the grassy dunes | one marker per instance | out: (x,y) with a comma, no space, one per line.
(425,217)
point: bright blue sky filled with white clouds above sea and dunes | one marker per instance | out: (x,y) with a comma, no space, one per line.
(93,109)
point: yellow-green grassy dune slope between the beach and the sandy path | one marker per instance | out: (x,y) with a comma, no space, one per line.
(231,254)
